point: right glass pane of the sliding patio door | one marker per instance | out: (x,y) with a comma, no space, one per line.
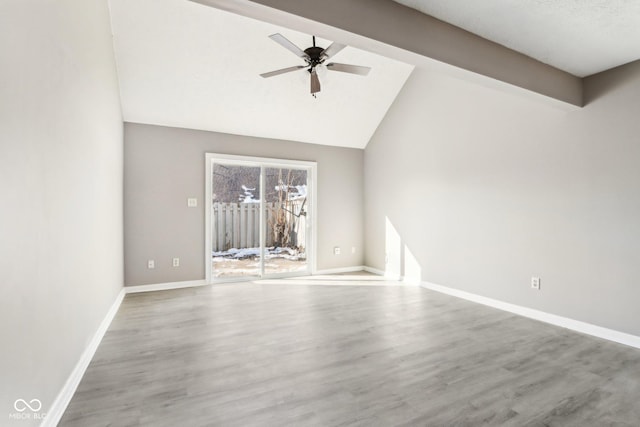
(286,207)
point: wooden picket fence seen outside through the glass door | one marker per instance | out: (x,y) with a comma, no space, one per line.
(237,225)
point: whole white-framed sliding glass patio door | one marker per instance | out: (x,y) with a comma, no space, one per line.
(259,217)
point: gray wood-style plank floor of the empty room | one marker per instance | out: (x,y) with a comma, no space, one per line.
(282,353)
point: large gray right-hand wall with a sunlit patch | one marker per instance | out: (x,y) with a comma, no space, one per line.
(486,190)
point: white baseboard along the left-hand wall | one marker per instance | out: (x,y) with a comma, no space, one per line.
(56,411)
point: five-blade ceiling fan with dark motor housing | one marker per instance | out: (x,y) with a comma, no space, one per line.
(314,56)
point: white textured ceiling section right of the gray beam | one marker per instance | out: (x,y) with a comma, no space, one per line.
(582,37)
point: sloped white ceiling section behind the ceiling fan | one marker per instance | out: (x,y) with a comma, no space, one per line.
(186,65)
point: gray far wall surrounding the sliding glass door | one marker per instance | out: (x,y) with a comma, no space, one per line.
(164,166)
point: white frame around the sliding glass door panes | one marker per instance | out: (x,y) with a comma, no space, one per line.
(312,179)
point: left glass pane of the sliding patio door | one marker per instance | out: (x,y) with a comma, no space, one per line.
(235,220)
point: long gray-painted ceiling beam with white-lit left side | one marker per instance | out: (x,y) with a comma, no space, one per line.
(397,31)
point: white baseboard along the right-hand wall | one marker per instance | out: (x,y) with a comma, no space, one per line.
(564,322)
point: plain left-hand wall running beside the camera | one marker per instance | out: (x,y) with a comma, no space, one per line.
(61,263)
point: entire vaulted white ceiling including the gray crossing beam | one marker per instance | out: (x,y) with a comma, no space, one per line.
(196,64)
